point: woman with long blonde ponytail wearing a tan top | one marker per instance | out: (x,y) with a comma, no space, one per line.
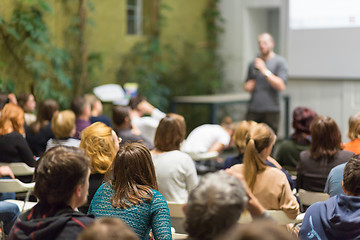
(268,184)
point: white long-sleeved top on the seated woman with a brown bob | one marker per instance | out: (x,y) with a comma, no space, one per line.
(176,175)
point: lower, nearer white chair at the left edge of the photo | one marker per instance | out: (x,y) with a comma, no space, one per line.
(15,185)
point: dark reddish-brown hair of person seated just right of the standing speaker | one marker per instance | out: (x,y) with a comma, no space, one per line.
(302,118)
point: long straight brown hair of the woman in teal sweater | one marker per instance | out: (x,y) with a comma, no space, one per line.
(132,176)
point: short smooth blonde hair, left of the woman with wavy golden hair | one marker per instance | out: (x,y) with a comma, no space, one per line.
(63,123)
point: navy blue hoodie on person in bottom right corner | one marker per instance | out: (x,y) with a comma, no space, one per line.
(336,218)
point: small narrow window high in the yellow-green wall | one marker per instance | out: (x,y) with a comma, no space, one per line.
(134,17)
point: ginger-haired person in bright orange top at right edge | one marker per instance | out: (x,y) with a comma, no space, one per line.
(353,134)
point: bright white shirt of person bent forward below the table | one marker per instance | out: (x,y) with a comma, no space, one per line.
(203,137)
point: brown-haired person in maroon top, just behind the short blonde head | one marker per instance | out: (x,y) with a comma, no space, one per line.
(82,111)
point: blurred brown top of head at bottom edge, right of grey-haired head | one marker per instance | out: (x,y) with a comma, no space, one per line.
(259,230)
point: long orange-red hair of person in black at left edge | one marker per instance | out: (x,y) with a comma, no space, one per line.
(12,119)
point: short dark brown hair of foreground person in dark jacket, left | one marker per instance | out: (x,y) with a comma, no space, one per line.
(58,173)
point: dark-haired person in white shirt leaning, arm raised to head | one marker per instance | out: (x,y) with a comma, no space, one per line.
(145,124)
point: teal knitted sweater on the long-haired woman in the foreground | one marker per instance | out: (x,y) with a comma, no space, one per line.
(141,218)
